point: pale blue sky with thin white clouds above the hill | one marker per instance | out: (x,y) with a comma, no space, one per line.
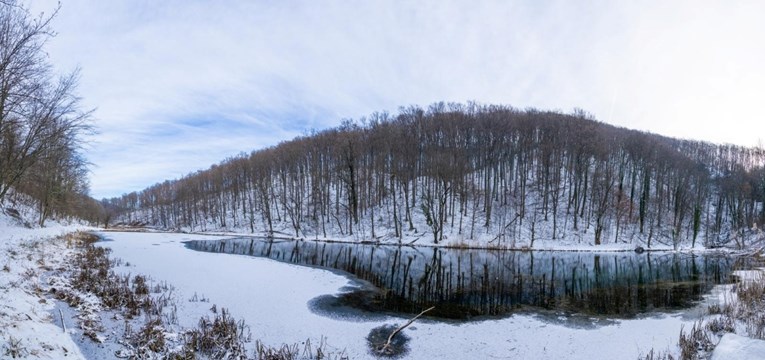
(179,85)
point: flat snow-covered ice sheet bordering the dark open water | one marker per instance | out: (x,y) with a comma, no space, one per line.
(273,298)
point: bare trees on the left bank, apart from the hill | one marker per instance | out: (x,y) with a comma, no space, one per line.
(41,124)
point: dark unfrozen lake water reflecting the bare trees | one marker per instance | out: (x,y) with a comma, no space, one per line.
(467,283)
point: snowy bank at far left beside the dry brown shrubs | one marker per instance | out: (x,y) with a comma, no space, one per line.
(28,328)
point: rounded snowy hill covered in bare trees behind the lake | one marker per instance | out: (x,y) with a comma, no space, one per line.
(472,174)
